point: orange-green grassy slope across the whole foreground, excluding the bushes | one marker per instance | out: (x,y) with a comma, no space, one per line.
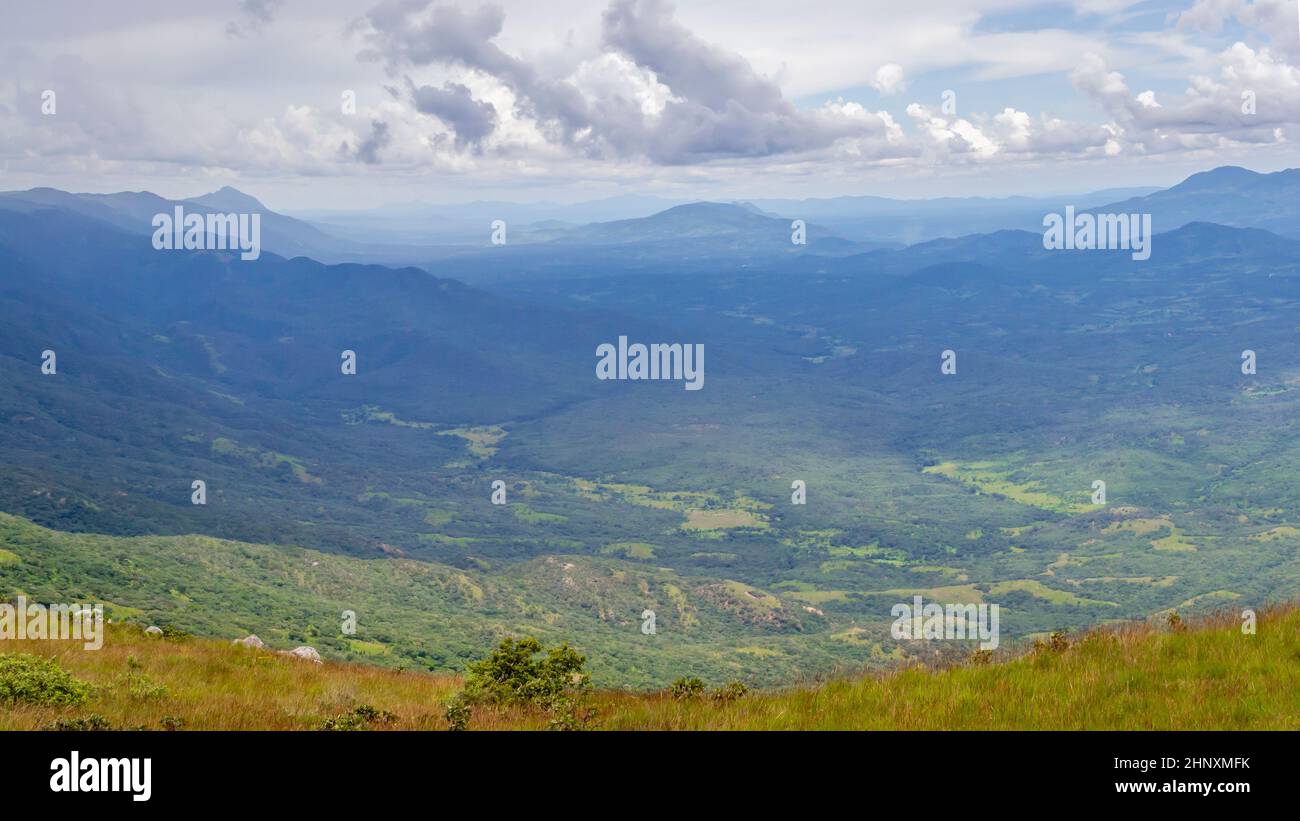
(1206,675)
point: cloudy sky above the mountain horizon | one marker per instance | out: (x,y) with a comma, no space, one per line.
(354,105)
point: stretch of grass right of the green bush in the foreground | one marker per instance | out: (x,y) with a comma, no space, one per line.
(1139,677)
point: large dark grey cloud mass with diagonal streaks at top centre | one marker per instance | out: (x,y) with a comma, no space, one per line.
(721,107)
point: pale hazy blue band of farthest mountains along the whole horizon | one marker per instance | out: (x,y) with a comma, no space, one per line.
(456,238)
